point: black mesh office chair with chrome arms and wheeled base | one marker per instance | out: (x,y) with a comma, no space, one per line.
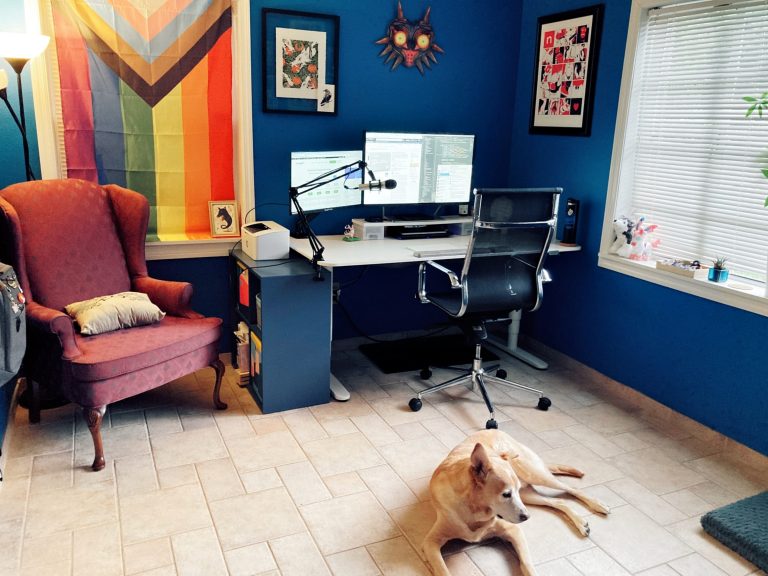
(502,271)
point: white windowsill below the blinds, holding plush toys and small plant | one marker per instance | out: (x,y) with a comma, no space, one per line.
(754,300)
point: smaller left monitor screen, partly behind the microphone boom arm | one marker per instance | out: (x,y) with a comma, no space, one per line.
(306,166)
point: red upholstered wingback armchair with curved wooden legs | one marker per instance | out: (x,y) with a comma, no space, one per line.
(72,240)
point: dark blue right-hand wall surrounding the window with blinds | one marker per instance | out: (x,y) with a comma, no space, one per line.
(703,359)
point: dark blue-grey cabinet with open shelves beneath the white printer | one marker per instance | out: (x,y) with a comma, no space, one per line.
(288,313)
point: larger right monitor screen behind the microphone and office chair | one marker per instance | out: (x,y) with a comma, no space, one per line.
(428,168)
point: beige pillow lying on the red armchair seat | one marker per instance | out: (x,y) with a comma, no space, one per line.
(107,313)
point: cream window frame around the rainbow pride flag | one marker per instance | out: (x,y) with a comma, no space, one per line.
(242,129)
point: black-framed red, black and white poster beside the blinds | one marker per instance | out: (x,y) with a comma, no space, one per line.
(564,72)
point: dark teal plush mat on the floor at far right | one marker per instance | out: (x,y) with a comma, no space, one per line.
(743,527)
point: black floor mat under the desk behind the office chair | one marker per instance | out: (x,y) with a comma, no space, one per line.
(413,354)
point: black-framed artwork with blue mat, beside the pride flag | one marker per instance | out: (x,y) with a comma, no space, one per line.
(300,61)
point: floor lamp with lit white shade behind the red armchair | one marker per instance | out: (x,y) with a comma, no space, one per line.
(18,49)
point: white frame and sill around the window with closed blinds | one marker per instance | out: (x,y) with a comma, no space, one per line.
(755,300)
